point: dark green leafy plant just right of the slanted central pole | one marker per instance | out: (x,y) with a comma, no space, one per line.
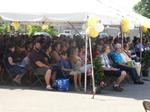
(98,71)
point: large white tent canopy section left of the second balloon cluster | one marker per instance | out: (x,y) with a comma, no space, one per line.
(62,10)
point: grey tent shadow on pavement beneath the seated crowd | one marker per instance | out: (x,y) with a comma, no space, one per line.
(138,92)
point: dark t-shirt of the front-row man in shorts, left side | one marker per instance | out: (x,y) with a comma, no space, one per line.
(36,56)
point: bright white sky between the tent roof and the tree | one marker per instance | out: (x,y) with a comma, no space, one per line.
(125,4)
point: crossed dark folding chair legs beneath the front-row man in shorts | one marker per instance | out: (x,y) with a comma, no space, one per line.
(38,78)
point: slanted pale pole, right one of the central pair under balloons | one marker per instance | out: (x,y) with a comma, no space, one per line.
(93,80)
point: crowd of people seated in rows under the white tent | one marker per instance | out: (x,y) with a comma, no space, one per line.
(65,57)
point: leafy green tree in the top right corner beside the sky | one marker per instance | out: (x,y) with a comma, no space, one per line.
(143,8)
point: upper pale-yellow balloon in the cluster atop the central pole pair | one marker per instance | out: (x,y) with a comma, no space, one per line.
(92,21)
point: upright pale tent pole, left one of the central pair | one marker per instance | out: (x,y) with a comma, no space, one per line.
(85,76)
